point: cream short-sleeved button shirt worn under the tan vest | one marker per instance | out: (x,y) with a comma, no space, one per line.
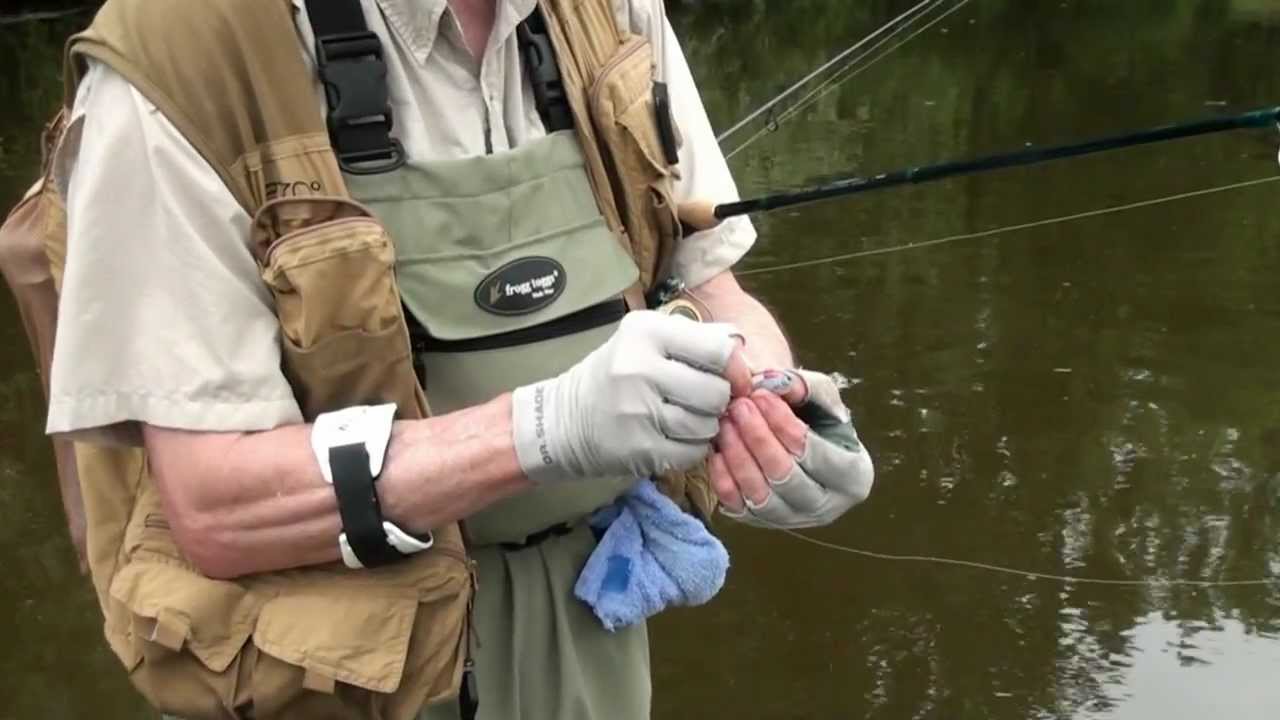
(163,317)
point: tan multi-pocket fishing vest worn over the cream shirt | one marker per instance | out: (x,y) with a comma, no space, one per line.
(323,641)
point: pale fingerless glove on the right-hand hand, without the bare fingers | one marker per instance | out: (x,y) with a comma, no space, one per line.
(834,475)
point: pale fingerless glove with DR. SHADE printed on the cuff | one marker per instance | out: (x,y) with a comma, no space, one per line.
(644,403)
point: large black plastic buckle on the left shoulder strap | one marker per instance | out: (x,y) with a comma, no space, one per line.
(360,115)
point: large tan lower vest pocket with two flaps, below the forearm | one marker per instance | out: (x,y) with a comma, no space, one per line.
(321,642)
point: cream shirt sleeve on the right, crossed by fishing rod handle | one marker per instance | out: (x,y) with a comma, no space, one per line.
(705,174)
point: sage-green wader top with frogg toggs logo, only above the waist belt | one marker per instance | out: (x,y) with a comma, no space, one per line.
(514,277)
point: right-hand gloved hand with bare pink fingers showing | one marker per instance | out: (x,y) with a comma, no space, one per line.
(778,470)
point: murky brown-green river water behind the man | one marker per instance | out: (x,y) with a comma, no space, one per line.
(1094,399)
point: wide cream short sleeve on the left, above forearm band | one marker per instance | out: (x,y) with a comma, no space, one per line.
(163,317)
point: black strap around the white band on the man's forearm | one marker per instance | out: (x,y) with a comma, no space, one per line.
(359,508)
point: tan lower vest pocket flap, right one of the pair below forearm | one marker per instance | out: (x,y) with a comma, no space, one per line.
(342,634)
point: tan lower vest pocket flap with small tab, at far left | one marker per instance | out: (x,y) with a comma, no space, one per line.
(179,609)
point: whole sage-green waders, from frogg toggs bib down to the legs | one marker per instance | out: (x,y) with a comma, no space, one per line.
(513,276)
